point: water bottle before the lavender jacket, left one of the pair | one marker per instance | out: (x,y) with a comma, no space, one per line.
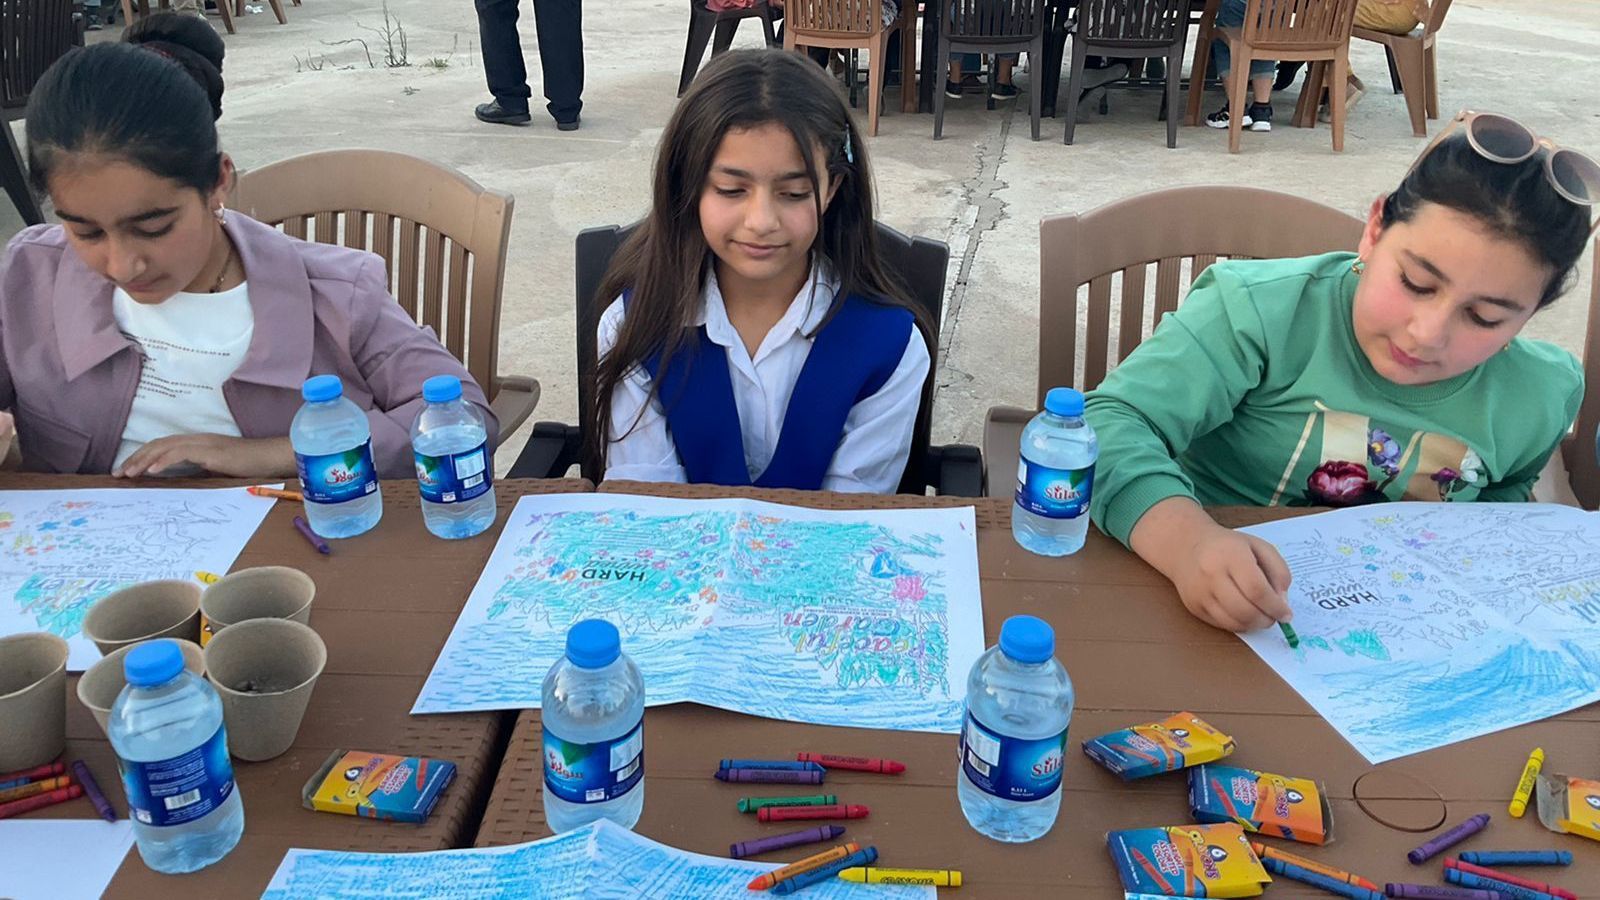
(334,451)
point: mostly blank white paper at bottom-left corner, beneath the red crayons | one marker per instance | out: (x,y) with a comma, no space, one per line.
(62,859)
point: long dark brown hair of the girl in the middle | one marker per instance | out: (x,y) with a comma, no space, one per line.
(663,263)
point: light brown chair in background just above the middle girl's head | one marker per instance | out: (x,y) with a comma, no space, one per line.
(858,25)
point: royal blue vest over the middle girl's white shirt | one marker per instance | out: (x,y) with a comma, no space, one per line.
(850,360)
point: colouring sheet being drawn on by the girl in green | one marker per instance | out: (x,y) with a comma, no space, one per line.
(1430,624)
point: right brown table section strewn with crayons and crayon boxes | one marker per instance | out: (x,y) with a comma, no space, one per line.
(1135,656)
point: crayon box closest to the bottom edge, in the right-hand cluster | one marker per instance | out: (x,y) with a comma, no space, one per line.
(1191,861)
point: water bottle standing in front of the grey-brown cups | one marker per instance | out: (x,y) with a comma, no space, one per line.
(172,747)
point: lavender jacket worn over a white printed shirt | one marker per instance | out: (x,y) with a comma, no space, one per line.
(70,376)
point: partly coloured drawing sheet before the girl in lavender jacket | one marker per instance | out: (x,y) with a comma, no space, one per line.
(63,550)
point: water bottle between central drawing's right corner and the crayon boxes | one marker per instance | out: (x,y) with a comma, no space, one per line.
(1018,710)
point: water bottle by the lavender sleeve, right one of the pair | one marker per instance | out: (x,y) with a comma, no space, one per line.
(454,467)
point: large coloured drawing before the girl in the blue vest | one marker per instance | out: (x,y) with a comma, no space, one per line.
(868,619)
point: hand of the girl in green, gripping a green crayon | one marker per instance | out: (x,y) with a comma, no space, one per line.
(1234,581)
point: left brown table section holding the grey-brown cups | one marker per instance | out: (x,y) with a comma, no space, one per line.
(386,601)
